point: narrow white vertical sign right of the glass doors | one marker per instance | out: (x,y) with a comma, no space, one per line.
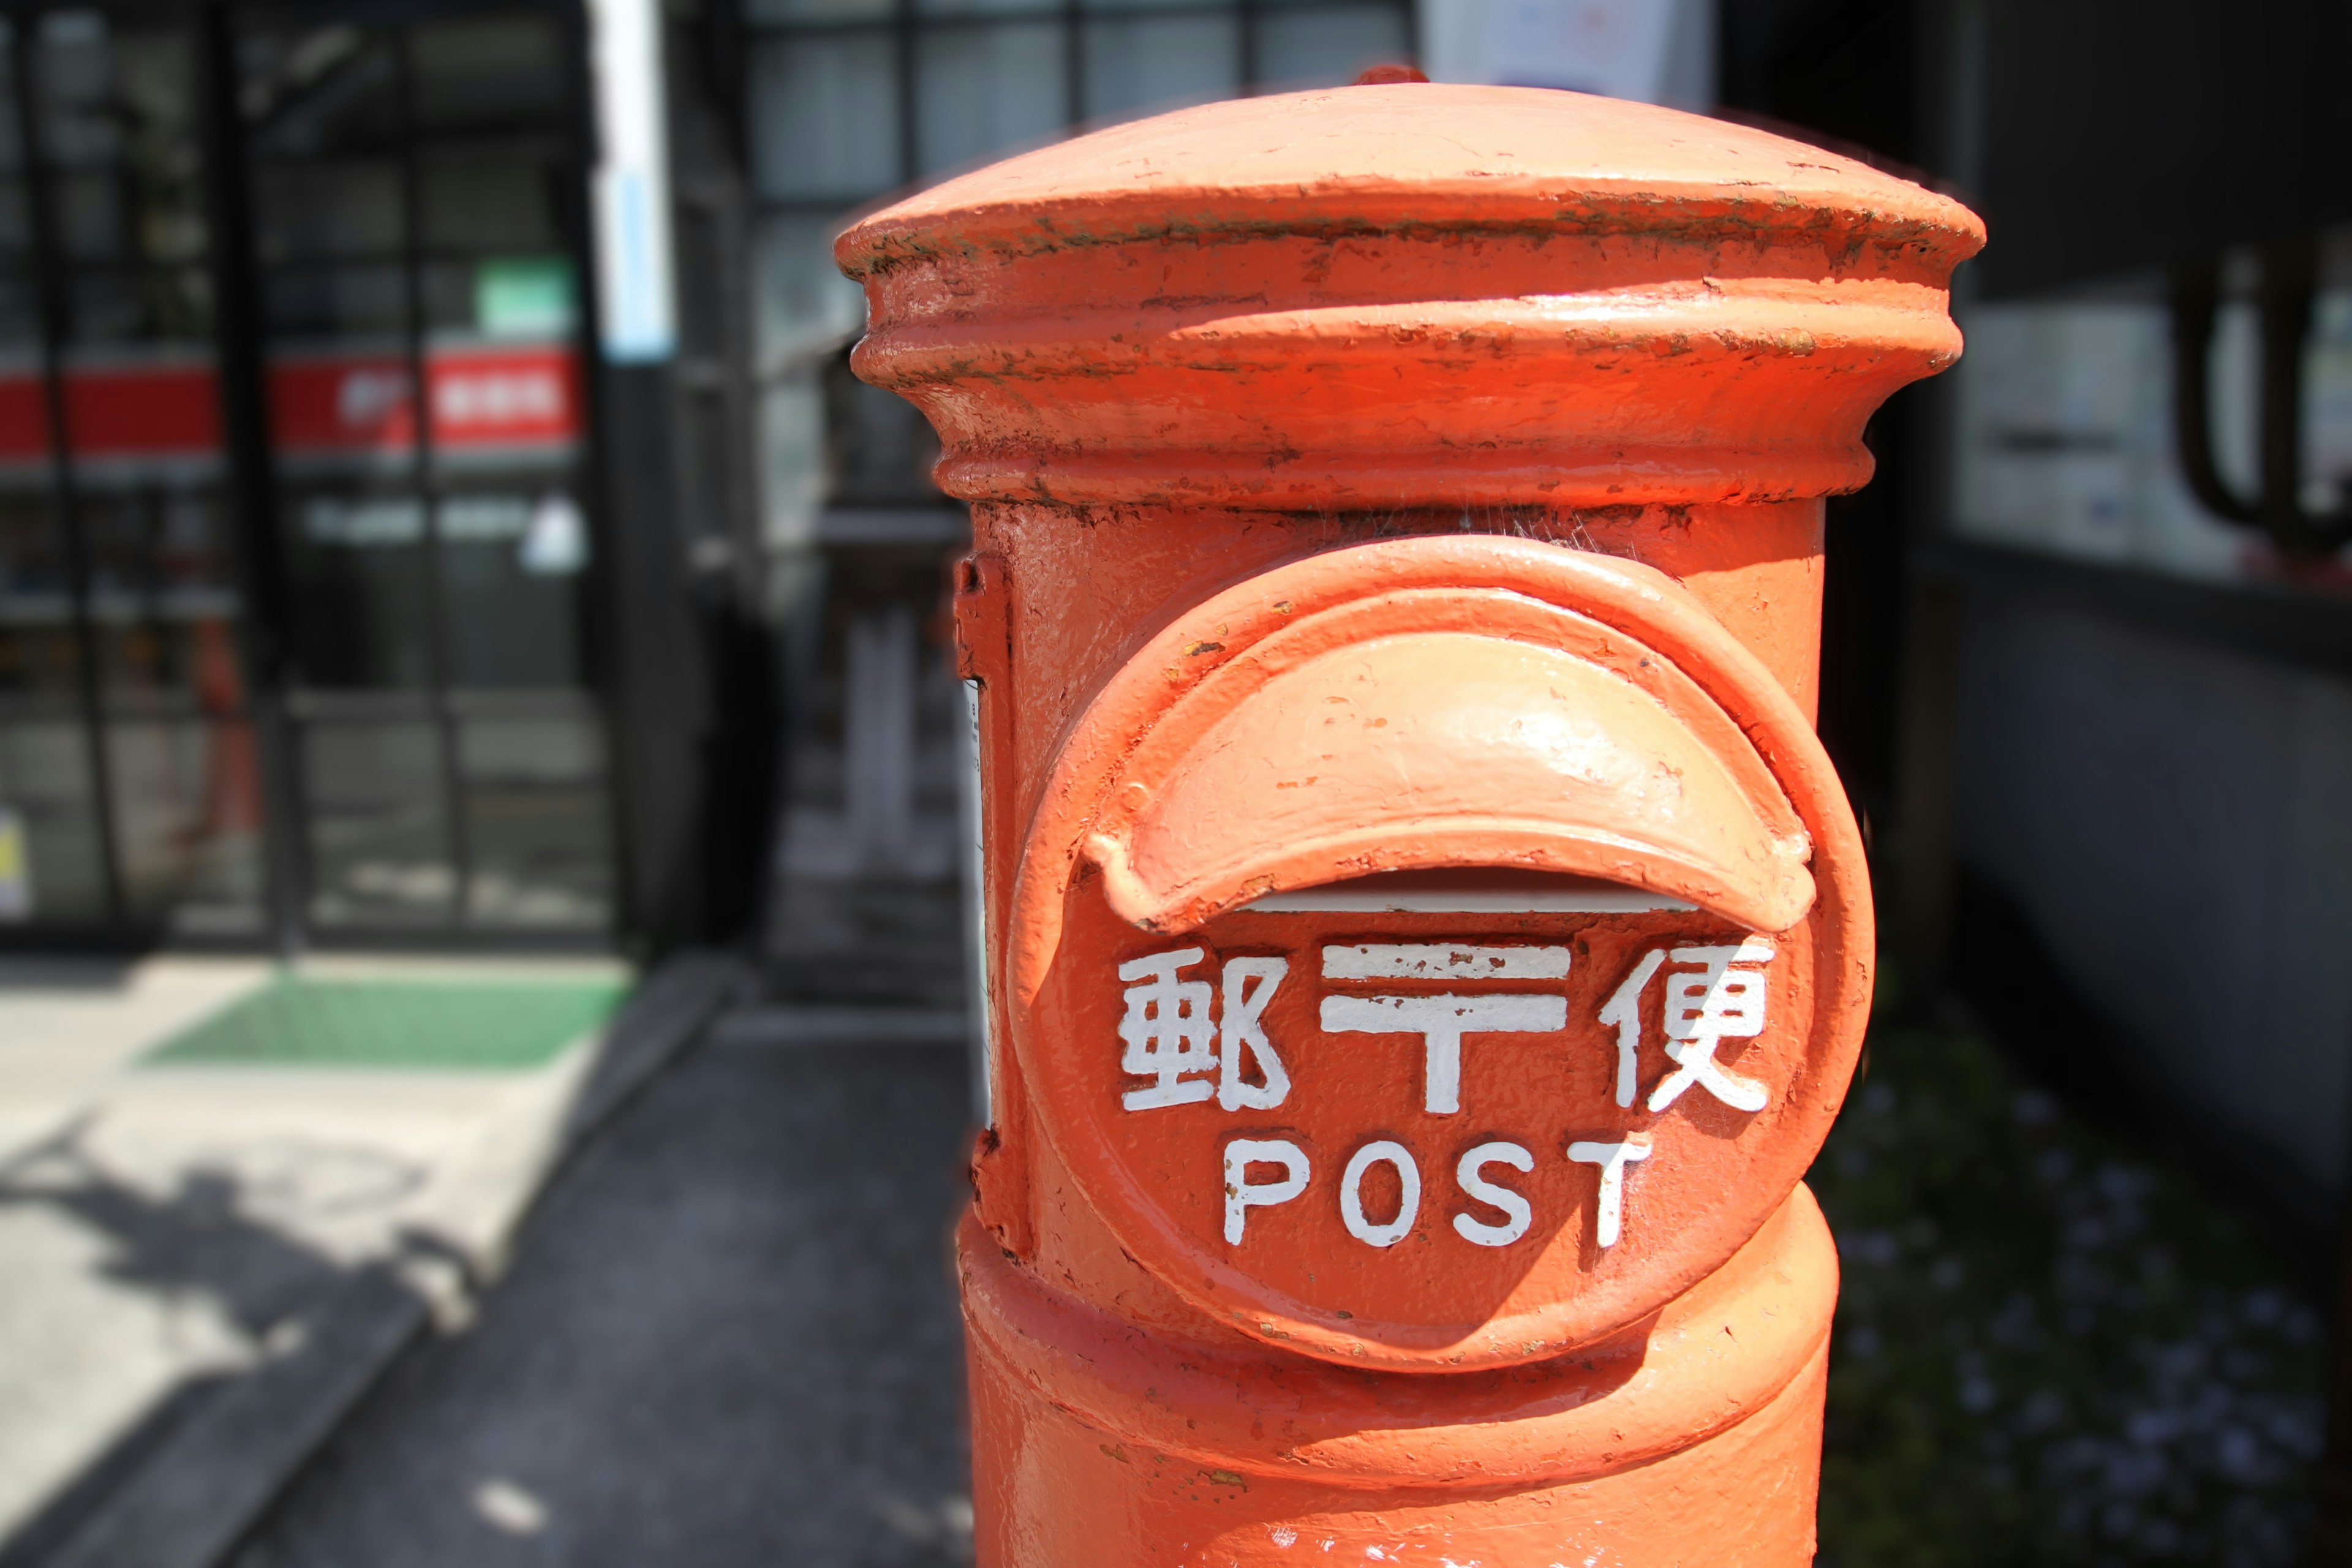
(632,185)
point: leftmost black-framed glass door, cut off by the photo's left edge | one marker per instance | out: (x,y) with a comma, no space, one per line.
(128,782)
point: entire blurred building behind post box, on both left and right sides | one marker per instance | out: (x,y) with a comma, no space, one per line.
(436,507)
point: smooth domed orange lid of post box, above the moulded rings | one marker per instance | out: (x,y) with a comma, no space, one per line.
(1415,159)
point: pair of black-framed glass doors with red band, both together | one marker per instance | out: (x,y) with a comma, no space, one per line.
(420,511)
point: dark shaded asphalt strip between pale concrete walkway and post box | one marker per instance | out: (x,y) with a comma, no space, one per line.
(728,1336)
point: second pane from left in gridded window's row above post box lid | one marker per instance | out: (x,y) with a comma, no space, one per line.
(987,91)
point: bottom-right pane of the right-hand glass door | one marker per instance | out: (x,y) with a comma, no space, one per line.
(537,822)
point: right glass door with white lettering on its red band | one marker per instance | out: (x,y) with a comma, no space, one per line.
(417,227)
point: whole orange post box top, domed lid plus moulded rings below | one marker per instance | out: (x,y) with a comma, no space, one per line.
(1410,297)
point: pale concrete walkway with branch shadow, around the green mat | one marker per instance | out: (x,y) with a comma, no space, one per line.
(203,1266)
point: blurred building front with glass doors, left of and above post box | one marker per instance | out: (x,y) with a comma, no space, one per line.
(436,502)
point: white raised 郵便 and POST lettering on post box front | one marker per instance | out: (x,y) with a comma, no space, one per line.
(1196,1031)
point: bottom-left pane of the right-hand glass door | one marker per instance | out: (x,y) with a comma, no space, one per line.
(380,840)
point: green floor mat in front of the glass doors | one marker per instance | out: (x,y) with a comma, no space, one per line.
(399,1024)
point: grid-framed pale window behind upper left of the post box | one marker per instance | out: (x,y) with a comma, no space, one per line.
(850,100)
